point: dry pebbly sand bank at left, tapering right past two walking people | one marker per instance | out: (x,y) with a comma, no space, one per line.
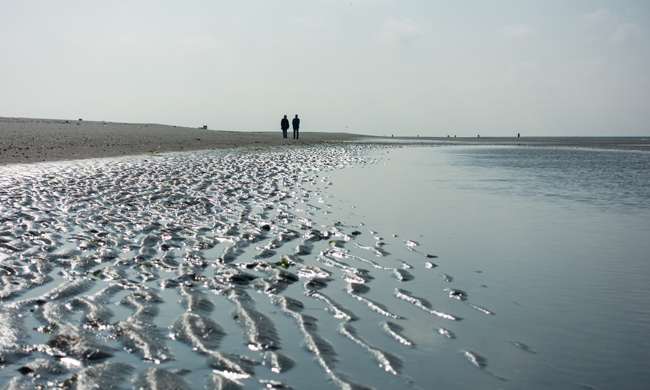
(25,140)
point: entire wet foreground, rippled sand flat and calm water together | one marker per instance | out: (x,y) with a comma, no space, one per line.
(422,267)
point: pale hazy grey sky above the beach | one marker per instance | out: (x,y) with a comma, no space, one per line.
(379,67)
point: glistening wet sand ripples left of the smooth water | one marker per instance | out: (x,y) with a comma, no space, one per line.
(218,270)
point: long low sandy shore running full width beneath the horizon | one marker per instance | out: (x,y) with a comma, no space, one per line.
(28,140)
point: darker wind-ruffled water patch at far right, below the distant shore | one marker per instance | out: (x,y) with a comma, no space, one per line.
(599,177)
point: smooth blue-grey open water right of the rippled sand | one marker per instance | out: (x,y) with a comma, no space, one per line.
(560,237)
